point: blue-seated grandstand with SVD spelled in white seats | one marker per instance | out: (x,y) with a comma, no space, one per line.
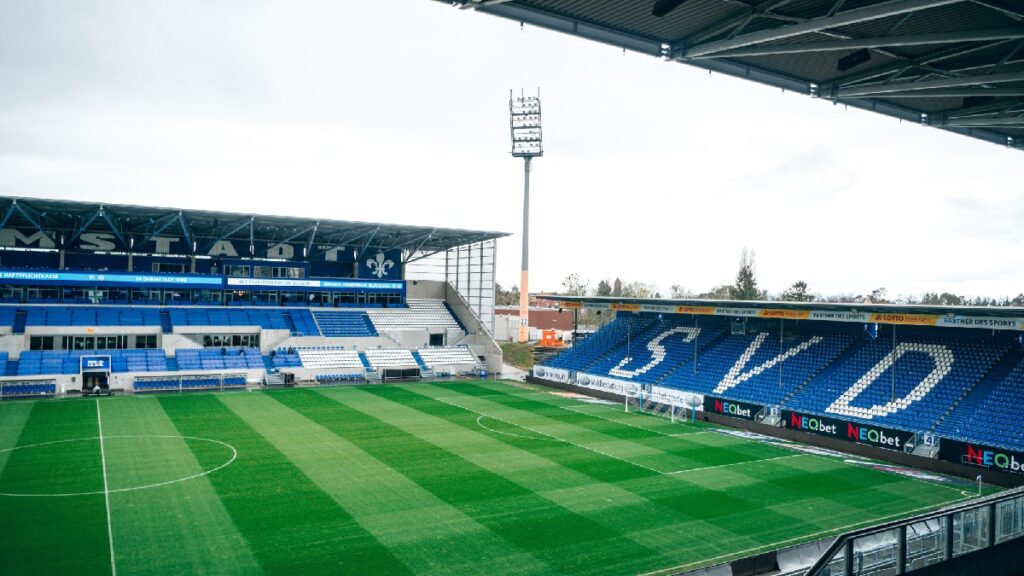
(904,369)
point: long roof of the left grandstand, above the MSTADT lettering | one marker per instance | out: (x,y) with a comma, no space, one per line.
(69,220)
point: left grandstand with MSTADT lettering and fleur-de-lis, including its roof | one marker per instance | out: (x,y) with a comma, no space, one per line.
(175,300)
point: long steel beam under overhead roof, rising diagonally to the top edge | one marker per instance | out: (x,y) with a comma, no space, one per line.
(816,25)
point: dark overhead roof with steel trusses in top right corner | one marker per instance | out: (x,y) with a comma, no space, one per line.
(955,65)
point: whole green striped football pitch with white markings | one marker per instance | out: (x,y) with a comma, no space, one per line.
(457,478)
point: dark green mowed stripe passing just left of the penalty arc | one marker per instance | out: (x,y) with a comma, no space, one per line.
(569,542)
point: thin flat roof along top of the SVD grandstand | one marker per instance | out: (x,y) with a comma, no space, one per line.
(990,312)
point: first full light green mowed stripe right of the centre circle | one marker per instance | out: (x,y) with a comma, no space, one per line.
(414,524)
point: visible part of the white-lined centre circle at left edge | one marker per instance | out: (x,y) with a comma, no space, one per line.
(75,467)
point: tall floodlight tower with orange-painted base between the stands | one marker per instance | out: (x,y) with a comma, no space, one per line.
(527,144)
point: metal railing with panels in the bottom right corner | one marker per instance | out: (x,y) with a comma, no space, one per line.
(900,547)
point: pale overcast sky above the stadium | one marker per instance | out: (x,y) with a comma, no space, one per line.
(397,111)
